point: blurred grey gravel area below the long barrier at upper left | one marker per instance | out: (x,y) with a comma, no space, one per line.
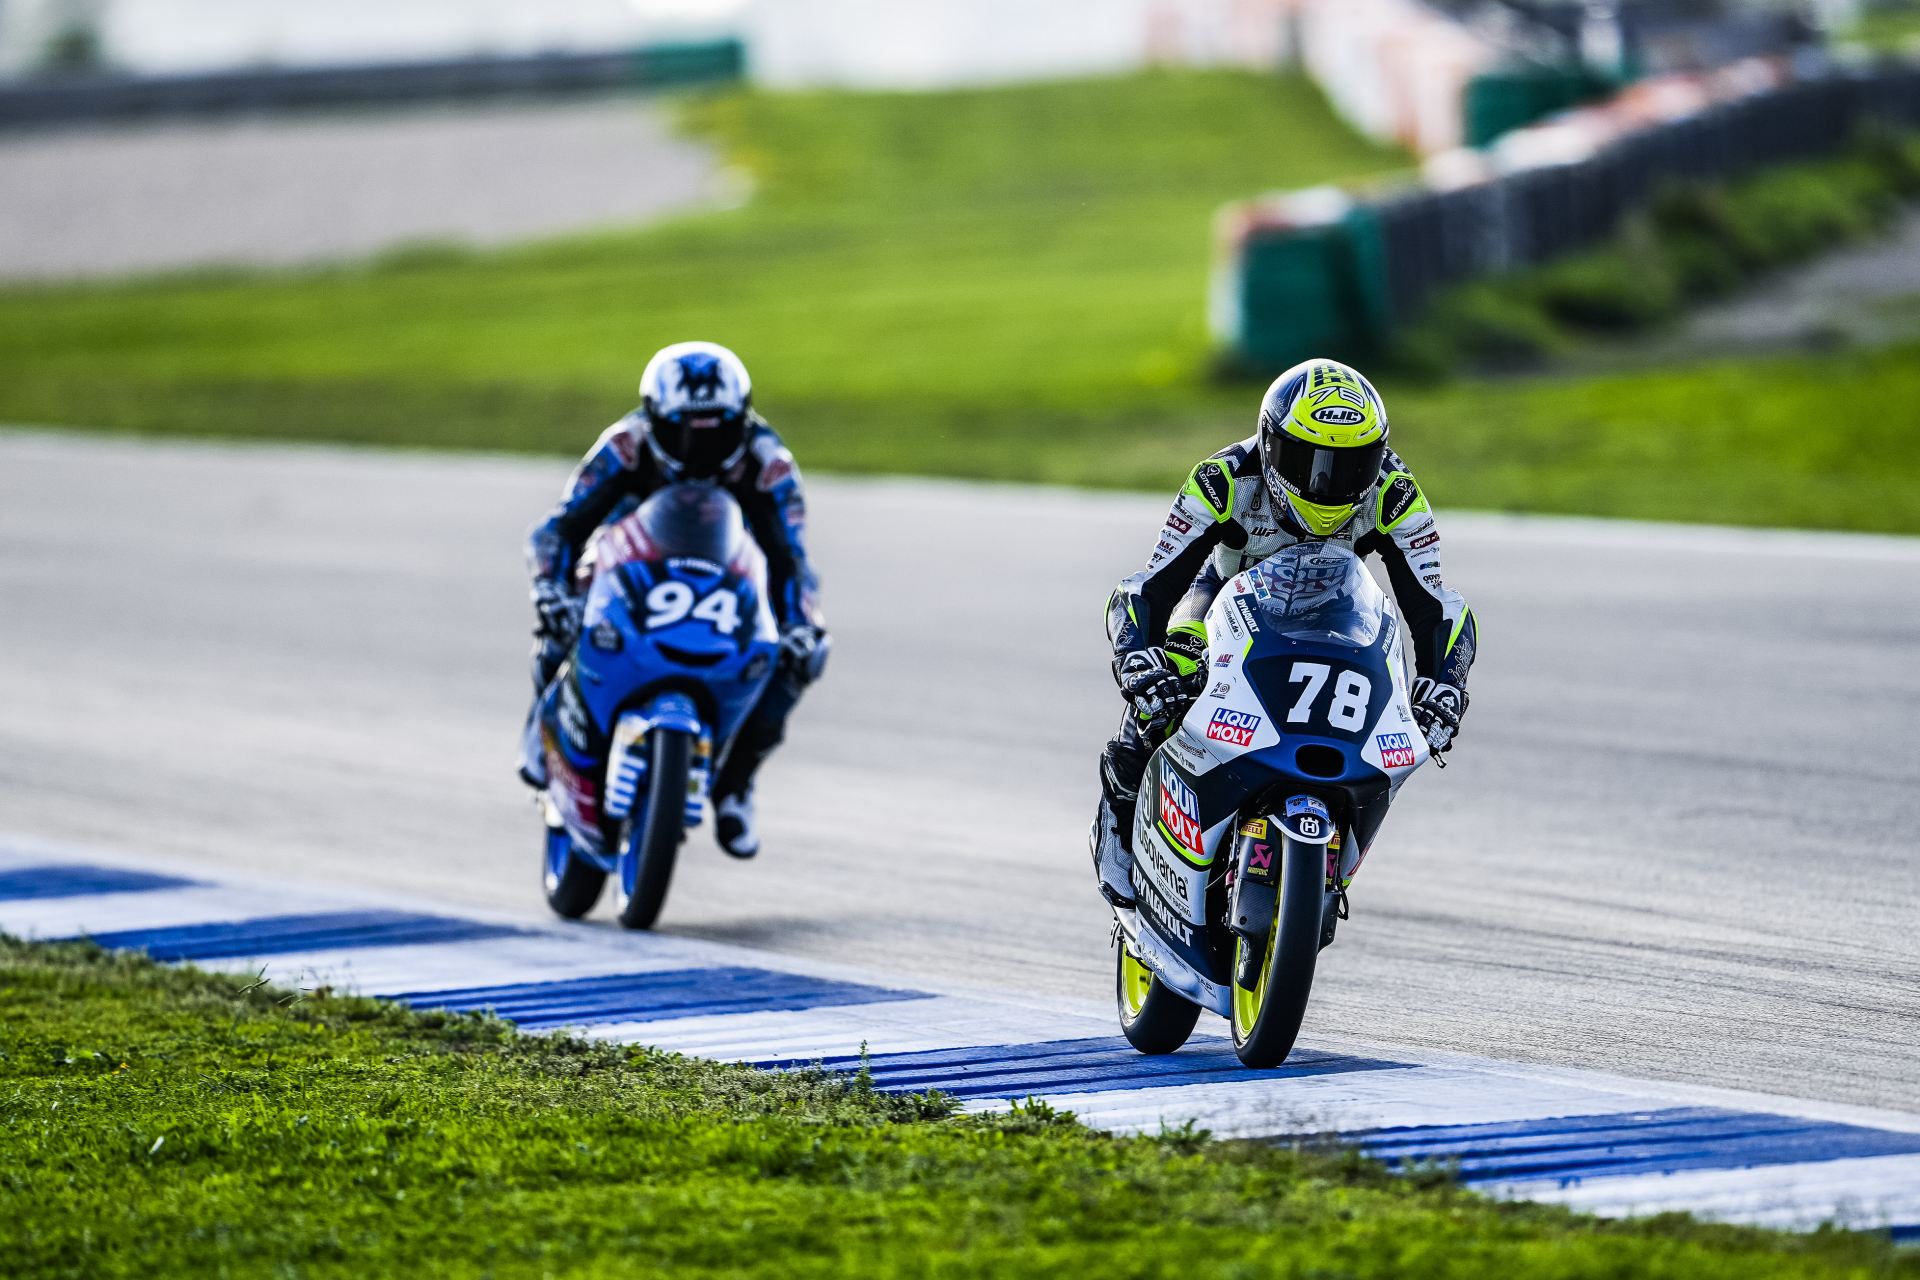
(325,187)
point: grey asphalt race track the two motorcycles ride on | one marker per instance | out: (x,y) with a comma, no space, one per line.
(1677,840)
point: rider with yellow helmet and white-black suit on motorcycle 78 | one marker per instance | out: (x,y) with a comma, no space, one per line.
(1318,469)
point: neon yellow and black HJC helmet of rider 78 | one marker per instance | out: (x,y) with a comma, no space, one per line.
(1322,442)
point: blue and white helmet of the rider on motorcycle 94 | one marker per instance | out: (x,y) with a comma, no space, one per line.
(696,398)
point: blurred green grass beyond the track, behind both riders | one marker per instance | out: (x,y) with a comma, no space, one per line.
(1001,285)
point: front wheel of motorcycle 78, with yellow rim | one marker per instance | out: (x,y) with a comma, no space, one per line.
(1266,1022)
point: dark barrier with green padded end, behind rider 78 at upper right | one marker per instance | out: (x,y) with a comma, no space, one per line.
(1324,273)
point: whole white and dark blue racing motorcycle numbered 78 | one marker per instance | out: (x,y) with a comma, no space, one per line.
(1259,809)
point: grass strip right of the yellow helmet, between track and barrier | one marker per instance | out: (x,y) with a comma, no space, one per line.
(1735,442)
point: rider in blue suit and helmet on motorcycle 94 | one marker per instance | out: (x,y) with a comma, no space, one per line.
(696,421)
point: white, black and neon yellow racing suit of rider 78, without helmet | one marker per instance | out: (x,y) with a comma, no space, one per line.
(1224,523)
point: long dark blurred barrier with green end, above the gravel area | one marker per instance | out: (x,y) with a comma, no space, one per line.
(112,97)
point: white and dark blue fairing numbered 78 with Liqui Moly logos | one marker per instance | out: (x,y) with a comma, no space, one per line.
(1307,696)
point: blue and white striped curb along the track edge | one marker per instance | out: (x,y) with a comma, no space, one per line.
(1579,1139)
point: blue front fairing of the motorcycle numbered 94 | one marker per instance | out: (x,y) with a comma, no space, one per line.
(677,627)
